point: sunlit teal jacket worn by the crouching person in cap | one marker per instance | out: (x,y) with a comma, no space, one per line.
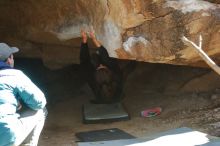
(15,86)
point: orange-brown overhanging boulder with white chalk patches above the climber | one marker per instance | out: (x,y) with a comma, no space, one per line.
(143,30)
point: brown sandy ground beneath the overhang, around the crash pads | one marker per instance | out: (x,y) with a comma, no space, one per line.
(65,118)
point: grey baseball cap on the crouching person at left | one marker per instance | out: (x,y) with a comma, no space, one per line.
(6,51)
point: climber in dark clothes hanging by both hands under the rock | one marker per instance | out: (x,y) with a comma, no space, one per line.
(102,73)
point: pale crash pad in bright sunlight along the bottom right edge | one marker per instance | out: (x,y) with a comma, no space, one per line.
(180,136)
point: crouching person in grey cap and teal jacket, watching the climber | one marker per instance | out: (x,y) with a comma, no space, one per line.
(22,104)
